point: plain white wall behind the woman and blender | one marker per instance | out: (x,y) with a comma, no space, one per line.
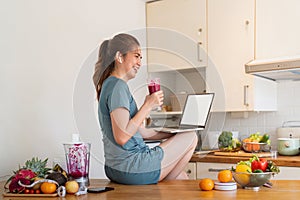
(48,49)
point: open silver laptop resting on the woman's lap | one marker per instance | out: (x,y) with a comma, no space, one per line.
(194,115)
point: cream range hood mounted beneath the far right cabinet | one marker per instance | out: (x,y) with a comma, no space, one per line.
(276,69)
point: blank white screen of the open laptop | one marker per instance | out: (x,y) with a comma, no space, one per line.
(196,109)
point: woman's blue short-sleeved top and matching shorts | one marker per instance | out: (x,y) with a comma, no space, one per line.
(134,162)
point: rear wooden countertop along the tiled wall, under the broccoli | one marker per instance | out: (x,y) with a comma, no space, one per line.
(287,161)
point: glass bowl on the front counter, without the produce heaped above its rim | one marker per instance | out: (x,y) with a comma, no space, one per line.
(252,180)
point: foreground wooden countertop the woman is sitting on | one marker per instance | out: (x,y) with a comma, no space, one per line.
(180,189)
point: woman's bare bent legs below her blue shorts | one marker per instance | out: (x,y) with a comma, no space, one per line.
(178,150)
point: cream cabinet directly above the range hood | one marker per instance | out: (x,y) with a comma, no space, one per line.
(277,28)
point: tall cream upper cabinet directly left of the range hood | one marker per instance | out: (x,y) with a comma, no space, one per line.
(231,44)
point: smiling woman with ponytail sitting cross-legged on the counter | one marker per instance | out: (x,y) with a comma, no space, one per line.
(128,160)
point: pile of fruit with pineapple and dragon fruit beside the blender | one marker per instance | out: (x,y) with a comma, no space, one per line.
(36,178)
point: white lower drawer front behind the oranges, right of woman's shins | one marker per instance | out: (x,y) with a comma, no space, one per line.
(210,170)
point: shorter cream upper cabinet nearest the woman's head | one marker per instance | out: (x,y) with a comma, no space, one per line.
(176,35)
